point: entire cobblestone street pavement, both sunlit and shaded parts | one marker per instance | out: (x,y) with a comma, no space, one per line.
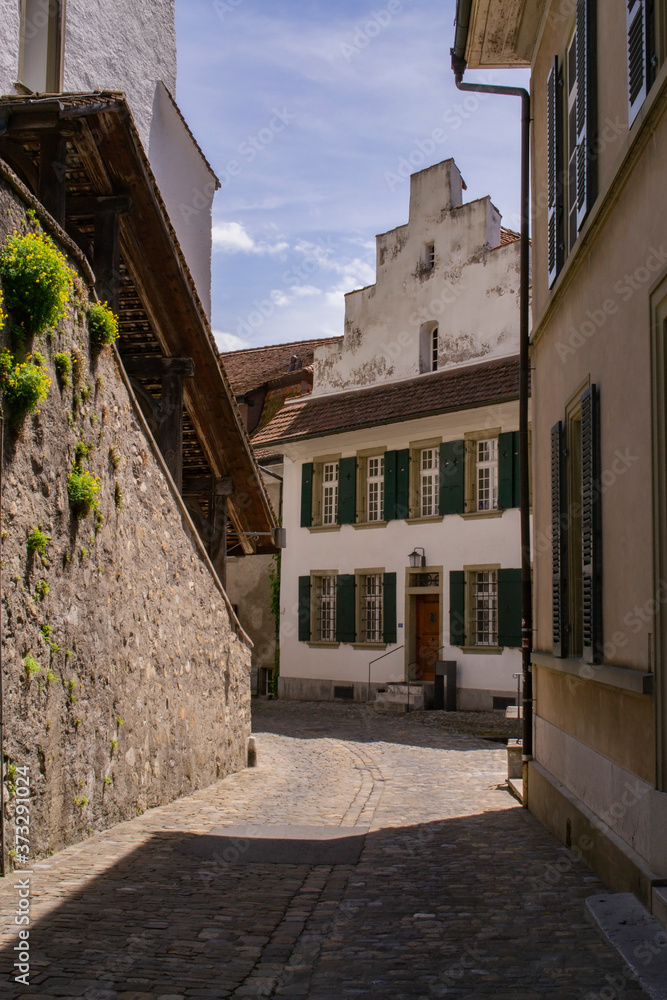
(458,891)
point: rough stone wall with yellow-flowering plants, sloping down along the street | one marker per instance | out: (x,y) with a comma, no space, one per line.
(143,692)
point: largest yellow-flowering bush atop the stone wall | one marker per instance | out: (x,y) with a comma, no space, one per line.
(37,281)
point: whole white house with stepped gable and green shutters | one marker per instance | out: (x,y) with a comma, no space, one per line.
(407,453)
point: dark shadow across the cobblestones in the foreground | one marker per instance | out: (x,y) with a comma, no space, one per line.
(479,906)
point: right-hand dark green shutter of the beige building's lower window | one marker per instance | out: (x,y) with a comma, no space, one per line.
(590,527)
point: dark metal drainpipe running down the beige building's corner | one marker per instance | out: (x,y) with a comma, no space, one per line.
(459,67)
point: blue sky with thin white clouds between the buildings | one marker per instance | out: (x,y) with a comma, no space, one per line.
(313,114)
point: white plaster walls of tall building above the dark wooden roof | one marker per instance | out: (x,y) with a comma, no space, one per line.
(130,46)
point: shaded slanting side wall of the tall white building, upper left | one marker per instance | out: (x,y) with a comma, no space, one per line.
(187,186)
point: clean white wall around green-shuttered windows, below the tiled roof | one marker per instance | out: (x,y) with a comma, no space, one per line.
(451,543)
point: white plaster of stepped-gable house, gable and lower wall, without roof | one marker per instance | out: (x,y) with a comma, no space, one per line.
(469,289)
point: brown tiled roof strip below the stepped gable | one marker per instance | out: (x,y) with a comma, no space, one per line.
(439,392)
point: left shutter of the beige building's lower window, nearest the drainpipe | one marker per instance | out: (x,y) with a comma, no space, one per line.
(559,580)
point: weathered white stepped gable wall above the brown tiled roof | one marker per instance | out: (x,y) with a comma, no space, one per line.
(472,292)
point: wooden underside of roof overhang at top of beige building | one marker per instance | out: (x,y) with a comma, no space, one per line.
(497,34)
